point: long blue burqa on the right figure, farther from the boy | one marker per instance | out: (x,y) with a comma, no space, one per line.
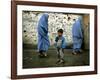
(77,34)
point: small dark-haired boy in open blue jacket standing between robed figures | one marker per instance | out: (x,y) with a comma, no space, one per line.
(60,45)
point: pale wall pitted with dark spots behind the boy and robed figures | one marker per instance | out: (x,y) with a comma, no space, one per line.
(55,22)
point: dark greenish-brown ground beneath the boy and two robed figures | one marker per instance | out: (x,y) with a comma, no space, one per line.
(31,59)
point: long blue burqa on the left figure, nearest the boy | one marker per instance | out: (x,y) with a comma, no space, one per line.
(43,39)
